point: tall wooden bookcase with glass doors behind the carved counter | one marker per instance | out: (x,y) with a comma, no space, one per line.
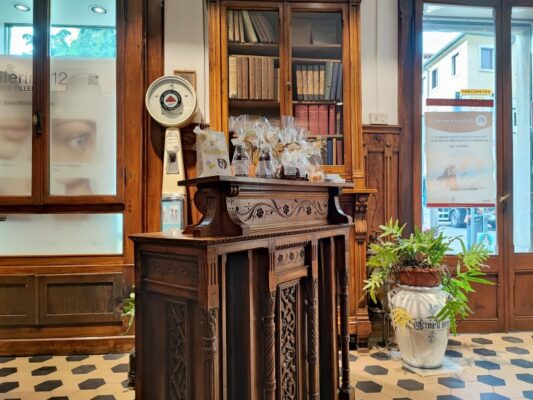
(298,58)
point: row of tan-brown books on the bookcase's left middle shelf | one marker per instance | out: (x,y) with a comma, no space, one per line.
(253,78)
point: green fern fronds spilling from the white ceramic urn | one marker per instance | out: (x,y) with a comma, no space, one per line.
(427,249)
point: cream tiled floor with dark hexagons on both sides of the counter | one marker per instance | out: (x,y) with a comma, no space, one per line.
(498,367)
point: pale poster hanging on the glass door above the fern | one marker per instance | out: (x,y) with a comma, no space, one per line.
(460,163)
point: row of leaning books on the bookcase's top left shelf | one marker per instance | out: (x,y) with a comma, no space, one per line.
(250,27)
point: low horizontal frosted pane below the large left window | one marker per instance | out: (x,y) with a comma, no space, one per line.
(61,234)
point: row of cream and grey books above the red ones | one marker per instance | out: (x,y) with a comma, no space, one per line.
(319,82)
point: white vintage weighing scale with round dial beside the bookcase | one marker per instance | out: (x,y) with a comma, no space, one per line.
(171,102)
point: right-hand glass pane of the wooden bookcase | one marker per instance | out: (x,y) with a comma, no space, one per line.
(316,45)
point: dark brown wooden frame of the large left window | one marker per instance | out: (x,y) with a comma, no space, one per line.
(40,200)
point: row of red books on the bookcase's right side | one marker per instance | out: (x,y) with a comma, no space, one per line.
(319,119)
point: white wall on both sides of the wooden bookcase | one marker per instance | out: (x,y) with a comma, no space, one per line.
(184,49)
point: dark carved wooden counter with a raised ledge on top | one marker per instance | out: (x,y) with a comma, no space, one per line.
(248,316)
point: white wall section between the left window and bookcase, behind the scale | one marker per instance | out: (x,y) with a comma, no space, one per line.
(185,49)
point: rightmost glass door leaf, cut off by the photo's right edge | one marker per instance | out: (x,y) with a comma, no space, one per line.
(520,162)
